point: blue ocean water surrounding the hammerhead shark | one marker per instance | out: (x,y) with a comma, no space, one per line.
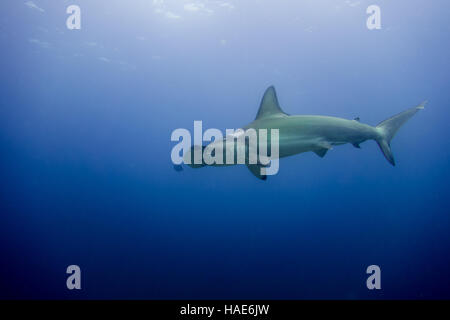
(86,176)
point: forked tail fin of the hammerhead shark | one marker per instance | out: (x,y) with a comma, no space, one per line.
(389,127)
